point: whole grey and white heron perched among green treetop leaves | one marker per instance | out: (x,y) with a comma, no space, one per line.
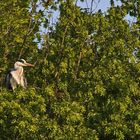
(16,75)
